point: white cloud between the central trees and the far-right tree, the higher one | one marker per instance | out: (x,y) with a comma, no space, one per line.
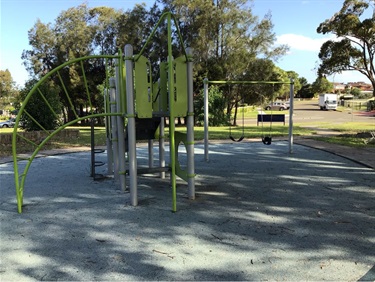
(303,43)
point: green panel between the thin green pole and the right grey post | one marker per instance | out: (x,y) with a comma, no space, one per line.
(180,91)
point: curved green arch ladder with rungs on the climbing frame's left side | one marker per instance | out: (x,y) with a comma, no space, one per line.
(19,138)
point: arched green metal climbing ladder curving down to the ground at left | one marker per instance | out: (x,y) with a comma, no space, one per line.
(21,183)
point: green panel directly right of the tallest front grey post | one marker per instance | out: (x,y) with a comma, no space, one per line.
(143,88)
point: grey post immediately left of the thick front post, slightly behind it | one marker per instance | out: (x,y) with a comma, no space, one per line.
(120,130)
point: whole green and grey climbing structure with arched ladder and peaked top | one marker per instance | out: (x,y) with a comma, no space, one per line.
(135,108)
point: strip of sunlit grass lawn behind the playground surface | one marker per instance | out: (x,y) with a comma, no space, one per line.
(348,135)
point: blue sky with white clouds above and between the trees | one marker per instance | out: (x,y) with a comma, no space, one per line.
(295,24)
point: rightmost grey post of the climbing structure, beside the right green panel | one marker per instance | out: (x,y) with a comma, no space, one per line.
(190,126)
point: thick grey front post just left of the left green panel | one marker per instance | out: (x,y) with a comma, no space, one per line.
(131,125)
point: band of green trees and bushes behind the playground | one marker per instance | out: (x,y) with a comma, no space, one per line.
(230,43)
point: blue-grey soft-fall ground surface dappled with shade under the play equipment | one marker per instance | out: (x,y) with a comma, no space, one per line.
(260,213)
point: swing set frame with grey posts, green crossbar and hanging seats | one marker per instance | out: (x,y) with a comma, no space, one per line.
(206,84)
